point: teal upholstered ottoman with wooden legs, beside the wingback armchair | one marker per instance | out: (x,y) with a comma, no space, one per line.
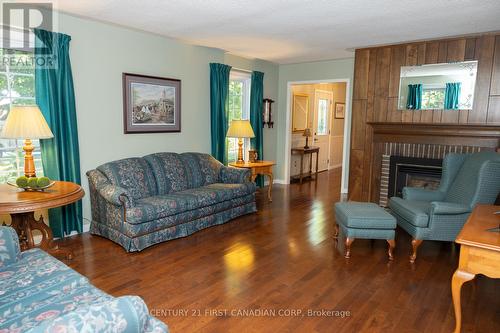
(364,220)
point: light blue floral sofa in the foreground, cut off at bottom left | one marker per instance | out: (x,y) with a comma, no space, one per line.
(39,294)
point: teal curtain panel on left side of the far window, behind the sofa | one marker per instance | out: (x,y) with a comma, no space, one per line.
(219,88)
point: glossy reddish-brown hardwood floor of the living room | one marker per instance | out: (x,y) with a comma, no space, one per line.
(283,258)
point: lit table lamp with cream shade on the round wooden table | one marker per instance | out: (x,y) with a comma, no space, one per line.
(26,122)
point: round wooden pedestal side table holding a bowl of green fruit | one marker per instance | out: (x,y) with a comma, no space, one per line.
(21,206)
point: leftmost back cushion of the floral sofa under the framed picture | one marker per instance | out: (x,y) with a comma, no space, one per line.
(132,174)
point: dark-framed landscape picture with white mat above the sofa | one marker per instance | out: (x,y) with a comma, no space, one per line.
(151,104)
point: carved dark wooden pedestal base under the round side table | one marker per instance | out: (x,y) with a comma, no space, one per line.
(25,223)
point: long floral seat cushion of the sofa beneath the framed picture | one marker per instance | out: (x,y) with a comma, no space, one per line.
(156,207)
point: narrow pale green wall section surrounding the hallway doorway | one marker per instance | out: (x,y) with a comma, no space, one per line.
(312,71)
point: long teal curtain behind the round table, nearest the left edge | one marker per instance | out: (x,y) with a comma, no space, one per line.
(56,98)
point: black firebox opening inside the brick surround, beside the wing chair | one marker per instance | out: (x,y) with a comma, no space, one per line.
(413,172)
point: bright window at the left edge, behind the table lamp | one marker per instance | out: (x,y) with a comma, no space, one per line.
(17,87)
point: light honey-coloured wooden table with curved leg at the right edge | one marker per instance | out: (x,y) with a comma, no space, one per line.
(479,252)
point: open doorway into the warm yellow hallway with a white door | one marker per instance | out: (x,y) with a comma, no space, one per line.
(321,107)
